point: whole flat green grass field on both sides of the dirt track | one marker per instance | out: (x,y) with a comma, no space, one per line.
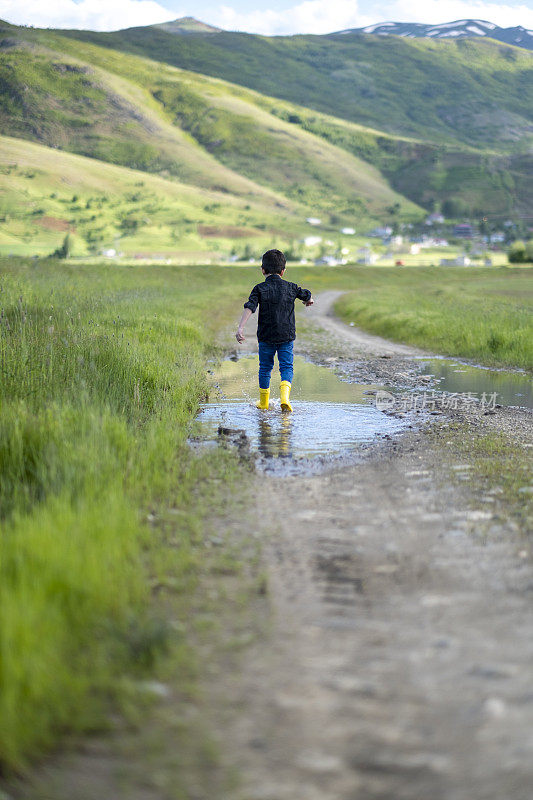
(102,372)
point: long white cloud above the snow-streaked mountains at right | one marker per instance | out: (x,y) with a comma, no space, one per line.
(325,16)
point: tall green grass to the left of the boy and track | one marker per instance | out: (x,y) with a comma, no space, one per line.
(101,373)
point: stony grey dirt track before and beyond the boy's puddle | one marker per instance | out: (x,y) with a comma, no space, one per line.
(399,663)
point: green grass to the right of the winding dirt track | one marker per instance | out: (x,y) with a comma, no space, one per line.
(482,314)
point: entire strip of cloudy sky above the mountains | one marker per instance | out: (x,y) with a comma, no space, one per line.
(270,18)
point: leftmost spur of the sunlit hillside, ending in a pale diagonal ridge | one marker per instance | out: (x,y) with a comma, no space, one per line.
(73,105)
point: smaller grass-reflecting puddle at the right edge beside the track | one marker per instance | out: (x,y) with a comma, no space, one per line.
(512,388)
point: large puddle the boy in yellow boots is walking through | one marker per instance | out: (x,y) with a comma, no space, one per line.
(330,417)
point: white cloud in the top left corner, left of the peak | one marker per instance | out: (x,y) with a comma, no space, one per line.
(98,15)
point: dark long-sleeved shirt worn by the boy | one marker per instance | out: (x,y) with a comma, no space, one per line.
(275,298)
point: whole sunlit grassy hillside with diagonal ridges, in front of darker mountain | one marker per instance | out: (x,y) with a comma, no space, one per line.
(137,113)
